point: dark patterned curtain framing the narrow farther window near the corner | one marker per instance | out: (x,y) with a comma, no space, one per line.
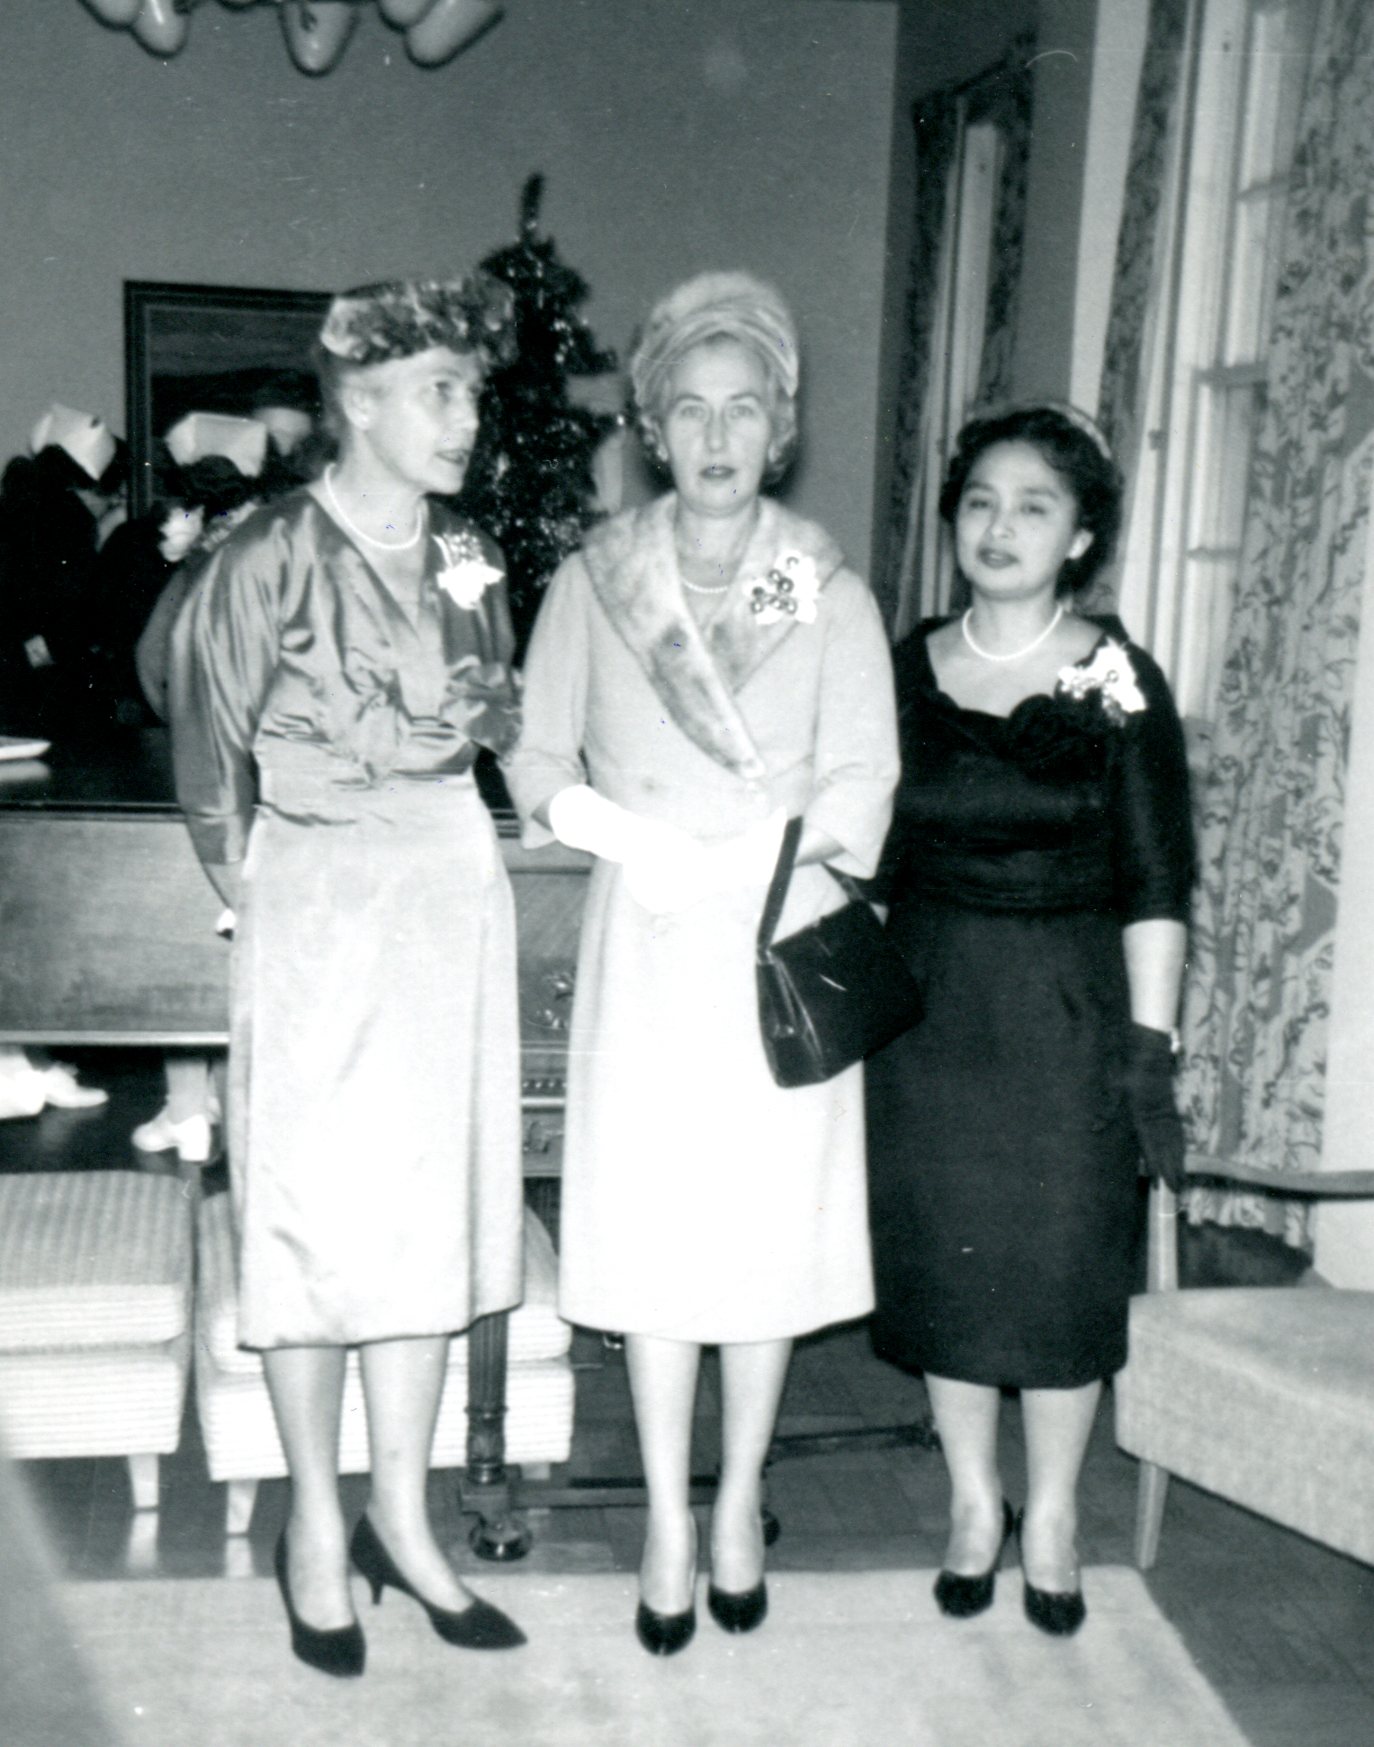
(1003,95)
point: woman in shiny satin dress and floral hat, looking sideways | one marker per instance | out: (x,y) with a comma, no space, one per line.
(337,668)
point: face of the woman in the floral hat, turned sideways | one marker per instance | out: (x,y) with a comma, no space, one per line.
(417,417)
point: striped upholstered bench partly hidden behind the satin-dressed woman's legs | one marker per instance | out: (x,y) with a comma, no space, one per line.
(235,1412)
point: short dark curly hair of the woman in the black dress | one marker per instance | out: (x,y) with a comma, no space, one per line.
(1076,453)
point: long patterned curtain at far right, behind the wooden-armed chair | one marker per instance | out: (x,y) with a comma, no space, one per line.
(1259,990)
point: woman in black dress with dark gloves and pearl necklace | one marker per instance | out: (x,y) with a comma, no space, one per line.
(1039,876)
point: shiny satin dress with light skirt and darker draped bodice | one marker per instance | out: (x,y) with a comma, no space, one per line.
(324,736)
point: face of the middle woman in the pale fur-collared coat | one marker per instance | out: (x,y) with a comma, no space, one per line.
(718,427)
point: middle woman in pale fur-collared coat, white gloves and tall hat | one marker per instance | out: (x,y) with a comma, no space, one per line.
(705,668)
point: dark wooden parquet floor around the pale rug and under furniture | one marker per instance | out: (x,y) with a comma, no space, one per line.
(1282,1629)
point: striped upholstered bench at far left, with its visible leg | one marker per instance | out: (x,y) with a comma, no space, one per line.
(95,1316)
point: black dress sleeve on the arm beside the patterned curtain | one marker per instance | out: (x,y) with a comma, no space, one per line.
(1153,843)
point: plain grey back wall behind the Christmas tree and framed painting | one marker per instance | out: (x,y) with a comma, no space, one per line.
(674,137)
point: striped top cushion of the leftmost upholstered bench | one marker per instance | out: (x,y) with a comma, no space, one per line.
(92,1259)
